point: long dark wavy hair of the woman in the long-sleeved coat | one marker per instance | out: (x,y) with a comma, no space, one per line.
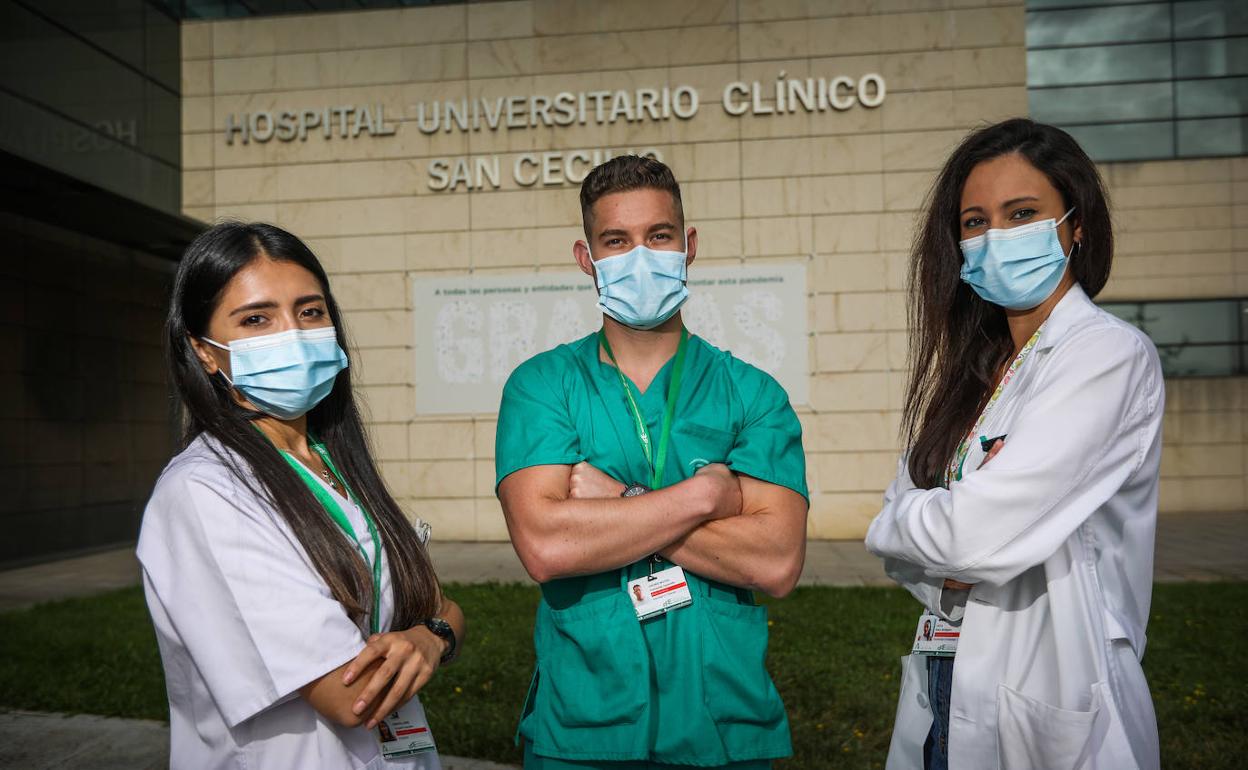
(958,341)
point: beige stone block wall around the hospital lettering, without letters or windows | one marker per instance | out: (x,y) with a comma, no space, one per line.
(841,190)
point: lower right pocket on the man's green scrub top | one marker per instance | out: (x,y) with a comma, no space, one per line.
(738,688)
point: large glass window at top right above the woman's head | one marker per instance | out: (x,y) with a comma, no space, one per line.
(1141,80)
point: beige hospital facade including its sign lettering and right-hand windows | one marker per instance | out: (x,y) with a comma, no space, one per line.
(412,145)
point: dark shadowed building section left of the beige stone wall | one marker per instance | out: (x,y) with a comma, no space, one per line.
(92,225)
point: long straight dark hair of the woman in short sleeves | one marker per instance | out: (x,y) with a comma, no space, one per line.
(210,263)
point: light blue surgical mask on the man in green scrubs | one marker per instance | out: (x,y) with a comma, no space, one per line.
(643,288)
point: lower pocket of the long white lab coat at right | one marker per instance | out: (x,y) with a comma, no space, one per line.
(1034,734)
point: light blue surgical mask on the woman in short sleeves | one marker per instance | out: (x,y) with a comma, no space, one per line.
(288,374)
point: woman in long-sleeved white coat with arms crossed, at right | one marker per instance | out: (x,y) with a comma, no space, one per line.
(1026,505)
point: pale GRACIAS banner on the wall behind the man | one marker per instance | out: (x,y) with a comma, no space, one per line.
(474,331)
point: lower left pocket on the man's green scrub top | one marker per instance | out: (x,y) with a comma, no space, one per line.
(597,673)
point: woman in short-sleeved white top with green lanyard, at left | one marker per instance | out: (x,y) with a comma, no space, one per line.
(295,606)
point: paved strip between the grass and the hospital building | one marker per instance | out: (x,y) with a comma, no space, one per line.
(1190,547)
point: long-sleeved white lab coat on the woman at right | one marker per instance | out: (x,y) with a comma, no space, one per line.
(1058,536)
